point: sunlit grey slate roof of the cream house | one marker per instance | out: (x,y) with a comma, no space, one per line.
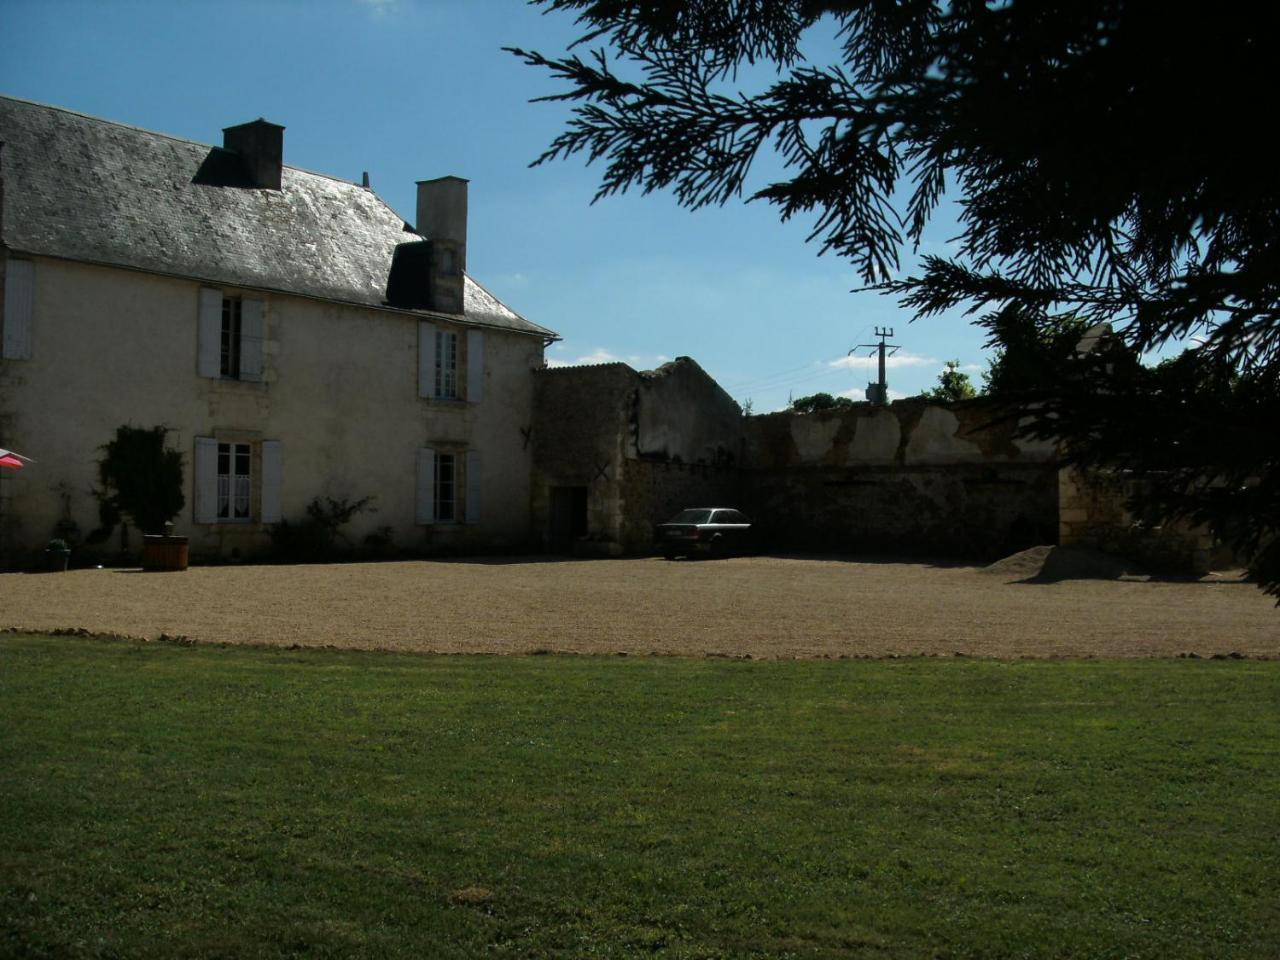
(83,189)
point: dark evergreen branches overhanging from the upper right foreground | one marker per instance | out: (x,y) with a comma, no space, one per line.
(1112,158)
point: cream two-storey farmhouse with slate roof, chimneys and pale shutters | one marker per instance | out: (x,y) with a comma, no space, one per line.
(295,336)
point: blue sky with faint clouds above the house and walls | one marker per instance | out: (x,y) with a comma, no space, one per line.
(412,90)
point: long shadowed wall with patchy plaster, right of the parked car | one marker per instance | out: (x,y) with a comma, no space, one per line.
(911,478)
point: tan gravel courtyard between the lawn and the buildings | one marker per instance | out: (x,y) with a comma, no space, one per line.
(753,606)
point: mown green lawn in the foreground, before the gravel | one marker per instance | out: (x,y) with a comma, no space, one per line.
(161,801)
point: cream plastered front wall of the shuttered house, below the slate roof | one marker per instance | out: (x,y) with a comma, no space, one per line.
(340,391)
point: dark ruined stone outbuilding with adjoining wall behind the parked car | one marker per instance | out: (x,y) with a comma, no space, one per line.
(618,451)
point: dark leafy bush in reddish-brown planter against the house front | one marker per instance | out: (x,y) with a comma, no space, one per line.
(143,481)
